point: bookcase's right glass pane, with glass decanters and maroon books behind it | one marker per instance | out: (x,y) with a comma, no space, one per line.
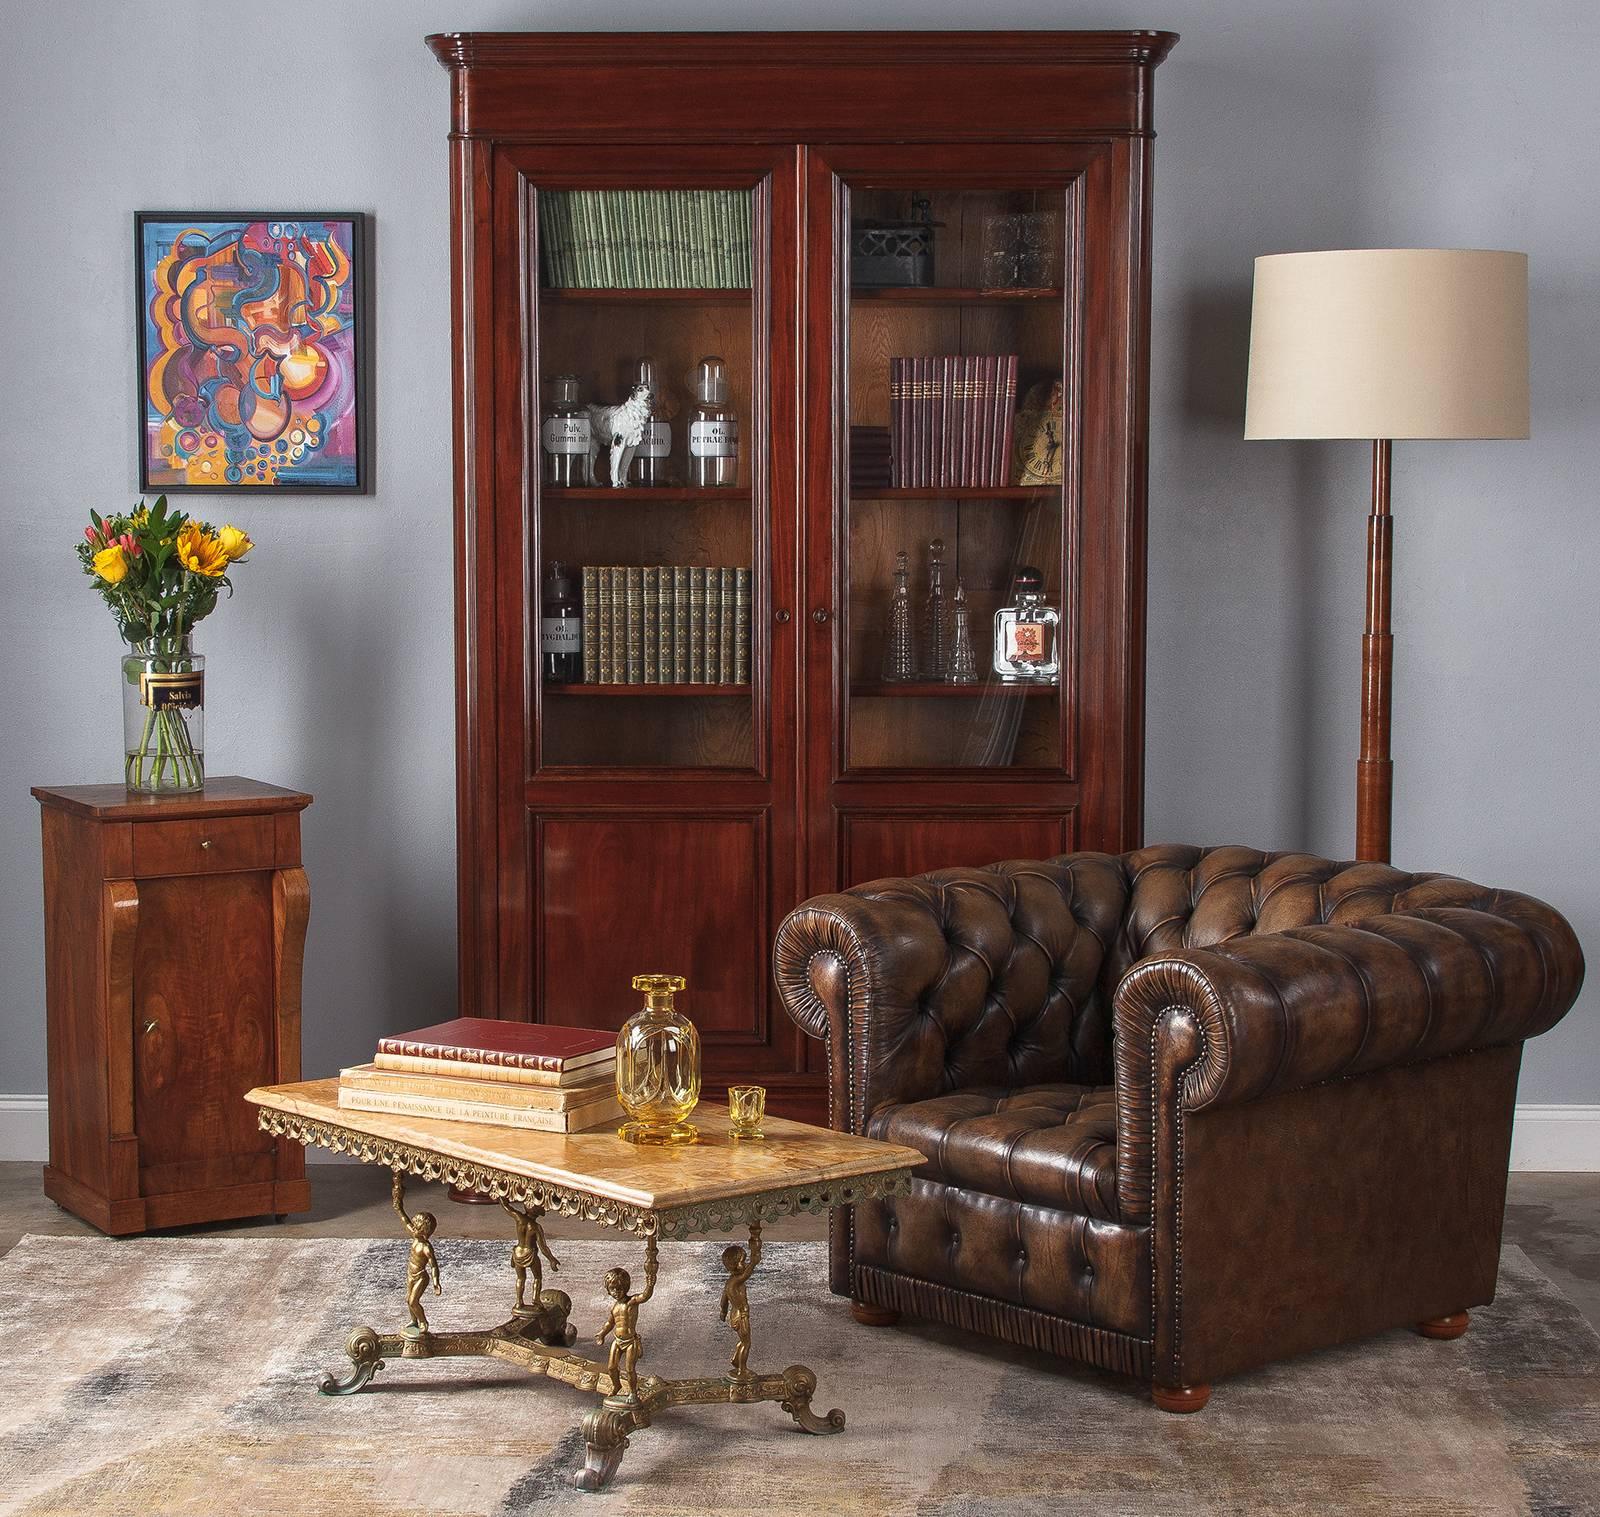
(958,434)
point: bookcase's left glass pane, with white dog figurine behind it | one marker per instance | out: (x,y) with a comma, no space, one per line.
(649,418)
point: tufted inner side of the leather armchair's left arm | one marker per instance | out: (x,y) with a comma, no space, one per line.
(1015,998)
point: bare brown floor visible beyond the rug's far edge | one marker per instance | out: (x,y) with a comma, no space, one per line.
(1554,1219)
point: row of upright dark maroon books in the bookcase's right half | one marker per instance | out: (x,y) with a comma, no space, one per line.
(951,422)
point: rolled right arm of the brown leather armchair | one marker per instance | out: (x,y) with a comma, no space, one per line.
(1452,969)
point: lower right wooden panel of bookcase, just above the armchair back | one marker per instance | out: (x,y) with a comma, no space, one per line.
(876,847)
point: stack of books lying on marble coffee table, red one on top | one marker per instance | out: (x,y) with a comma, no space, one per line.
(478,1070)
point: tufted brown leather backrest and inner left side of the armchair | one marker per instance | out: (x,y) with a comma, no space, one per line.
(1034,948)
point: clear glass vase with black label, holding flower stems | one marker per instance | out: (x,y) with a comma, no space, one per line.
(164,716)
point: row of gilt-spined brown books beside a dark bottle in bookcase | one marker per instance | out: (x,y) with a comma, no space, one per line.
(666,625)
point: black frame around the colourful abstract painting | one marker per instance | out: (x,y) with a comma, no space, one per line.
(361,350)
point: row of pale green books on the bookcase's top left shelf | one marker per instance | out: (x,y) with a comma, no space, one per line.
(646,239)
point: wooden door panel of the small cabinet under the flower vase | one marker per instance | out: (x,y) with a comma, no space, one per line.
(202,975)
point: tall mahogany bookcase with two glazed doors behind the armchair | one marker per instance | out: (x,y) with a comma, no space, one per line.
(614,828)
